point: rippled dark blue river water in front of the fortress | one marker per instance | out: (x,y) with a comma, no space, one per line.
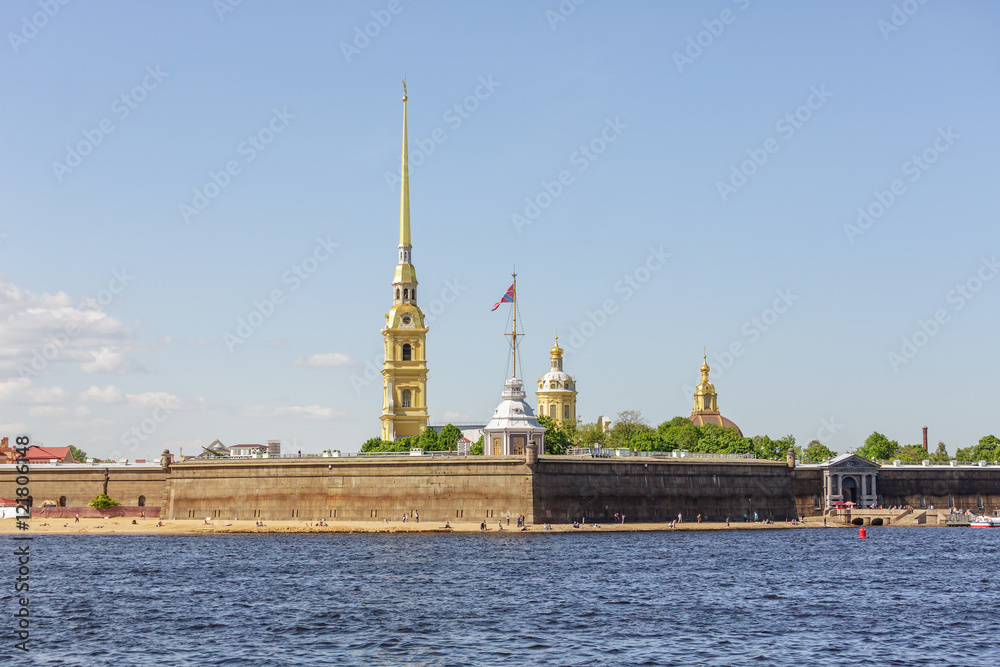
(795,597)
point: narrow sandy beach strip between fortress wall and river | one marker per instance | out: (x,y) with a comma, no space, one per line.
(220,526)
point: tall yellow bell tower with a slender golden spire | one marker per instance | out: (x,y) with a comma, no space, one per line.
(404,372)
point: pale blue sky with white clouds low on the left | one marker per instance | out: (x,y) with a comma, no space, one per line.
(807,190)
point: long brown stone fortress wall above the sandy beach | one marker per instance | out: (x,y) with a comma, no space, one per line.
(549,489)
